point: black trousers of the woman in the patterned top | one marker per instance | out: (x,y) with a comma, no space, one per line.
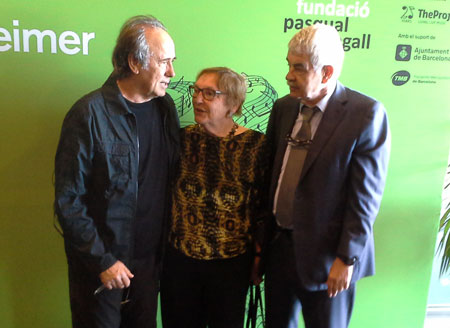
(200,293)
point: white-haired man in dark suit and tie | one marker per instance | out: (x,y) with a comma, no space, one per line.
(330,153)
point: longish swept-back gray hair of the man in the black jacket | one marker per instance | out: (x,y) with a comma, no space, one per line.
(132,40)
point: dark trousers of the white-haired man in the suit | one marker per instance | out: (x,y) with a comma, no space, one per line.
(285,296)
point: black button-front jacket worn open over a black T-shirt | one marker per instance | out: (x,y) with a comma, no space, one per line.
(96,175)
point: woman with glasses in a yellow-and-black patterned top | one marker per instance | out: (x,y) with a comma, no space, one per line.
(217,204)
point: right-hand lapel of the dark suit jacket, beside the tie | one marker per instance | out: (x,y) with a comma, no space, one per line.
(330,120)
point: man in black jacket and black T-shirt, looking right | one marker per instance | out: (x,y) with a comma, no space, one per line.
(117,147)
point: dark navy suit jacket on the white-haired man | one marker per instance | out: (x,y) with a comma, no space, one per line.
(340,188)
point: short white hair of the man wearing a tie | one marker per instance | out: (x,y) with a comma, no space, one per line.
(322,44)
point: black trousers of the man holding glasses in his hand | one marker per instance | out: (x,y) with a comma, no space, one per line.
(133,307)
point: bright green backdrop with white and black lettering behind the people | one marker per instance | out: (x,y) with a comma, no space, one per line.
(399,54)
